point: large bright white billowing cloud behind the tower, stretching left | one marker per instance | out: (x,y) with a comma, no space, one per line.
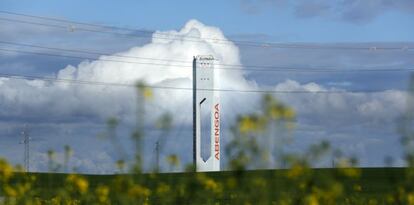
(64,99)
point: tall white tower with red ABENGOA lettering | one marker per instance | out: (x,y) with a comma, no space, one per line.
(206,106)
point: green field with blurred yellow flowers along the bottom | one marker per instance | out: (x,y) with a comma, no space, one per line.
(292,186)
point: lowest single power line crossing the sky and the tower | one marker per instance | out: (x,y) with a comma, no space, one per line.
(97,83)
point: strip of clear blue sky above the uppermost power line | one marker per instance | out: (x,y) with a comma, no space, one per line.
(277,19)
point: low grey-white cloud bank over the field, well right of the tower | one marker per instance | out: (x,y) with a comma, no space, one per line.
(343,107)
